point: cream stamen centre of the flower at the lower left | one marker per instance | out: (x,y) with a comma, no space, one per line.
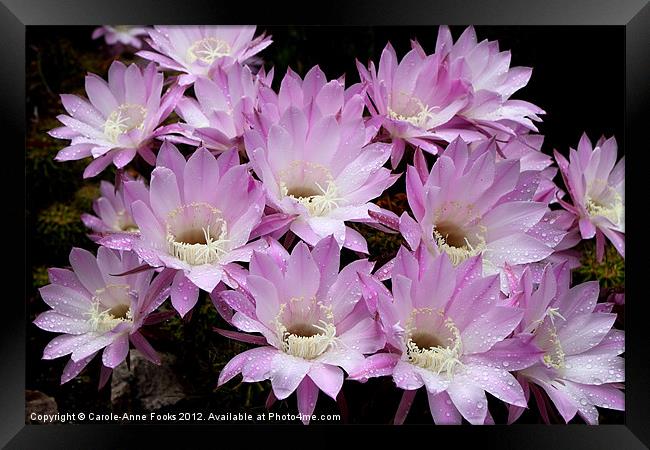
(111,306)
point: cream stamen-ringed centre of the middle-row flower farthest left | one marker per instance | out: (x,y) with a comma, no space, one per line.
(197,234)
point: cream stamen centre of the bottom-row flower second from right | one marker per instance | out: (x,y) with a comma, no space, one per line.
(427,350)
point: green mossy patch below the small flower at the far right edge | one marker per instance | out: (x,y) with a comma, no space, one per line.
(610,273)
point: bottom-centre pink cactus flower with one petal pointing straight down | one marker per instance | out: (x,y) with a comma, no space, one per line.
(313,320)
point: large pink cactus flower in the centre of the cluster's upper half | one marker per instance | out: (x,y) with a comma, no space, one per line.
(315,161)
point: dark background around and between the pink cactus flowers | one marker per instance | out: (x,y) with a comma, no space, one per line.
(578,79)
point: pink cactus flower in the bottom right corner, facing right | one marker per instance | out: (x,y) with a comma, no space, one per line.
(580,368)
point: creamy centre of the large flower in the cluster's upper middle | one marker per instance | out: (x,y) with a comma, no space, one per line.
(311,185)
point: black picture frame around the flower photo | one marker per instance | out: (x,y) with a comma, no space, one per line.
(16,15)
